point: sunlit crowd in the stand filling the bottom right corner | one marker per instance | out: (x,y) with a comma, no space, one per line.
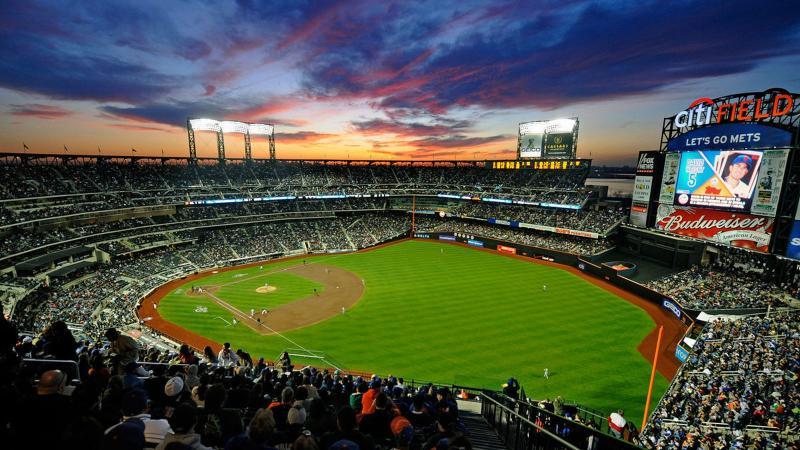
(739,389)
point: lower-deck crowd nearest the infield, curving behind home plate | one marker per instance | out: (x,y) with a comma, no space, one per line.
(105,295)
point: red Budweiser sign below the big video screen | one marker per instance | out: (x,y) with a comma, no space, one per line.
(736,229)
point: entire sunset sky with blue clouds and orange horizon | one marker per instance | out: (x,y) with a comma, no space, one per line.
(377,79)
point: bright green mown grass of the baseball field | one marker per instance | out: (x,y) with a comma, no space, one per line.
(453,314)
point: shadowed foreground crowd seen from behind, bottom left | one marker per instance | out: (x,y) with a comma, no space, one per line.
(218,400)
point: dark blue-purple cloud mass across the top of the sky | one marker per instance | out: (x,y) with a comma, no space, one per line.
(405,58)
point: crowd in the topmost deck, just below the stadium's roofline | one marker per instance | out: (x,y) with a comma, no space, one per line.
(63,190)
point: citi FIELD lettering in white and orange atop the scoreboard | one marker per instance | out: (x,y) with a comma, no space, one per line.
(764,106)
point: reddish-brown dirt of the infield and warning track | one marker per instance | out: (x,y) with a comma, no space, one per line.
(313,309)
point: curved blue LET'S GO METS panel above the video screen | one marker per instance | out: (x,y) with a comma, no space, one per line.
(731,136)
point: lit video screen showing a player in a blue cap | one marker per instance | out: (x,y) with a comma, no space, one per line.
(717,179)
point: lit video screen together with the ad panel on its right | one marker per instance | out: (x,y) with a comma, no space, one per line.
(730,180)
